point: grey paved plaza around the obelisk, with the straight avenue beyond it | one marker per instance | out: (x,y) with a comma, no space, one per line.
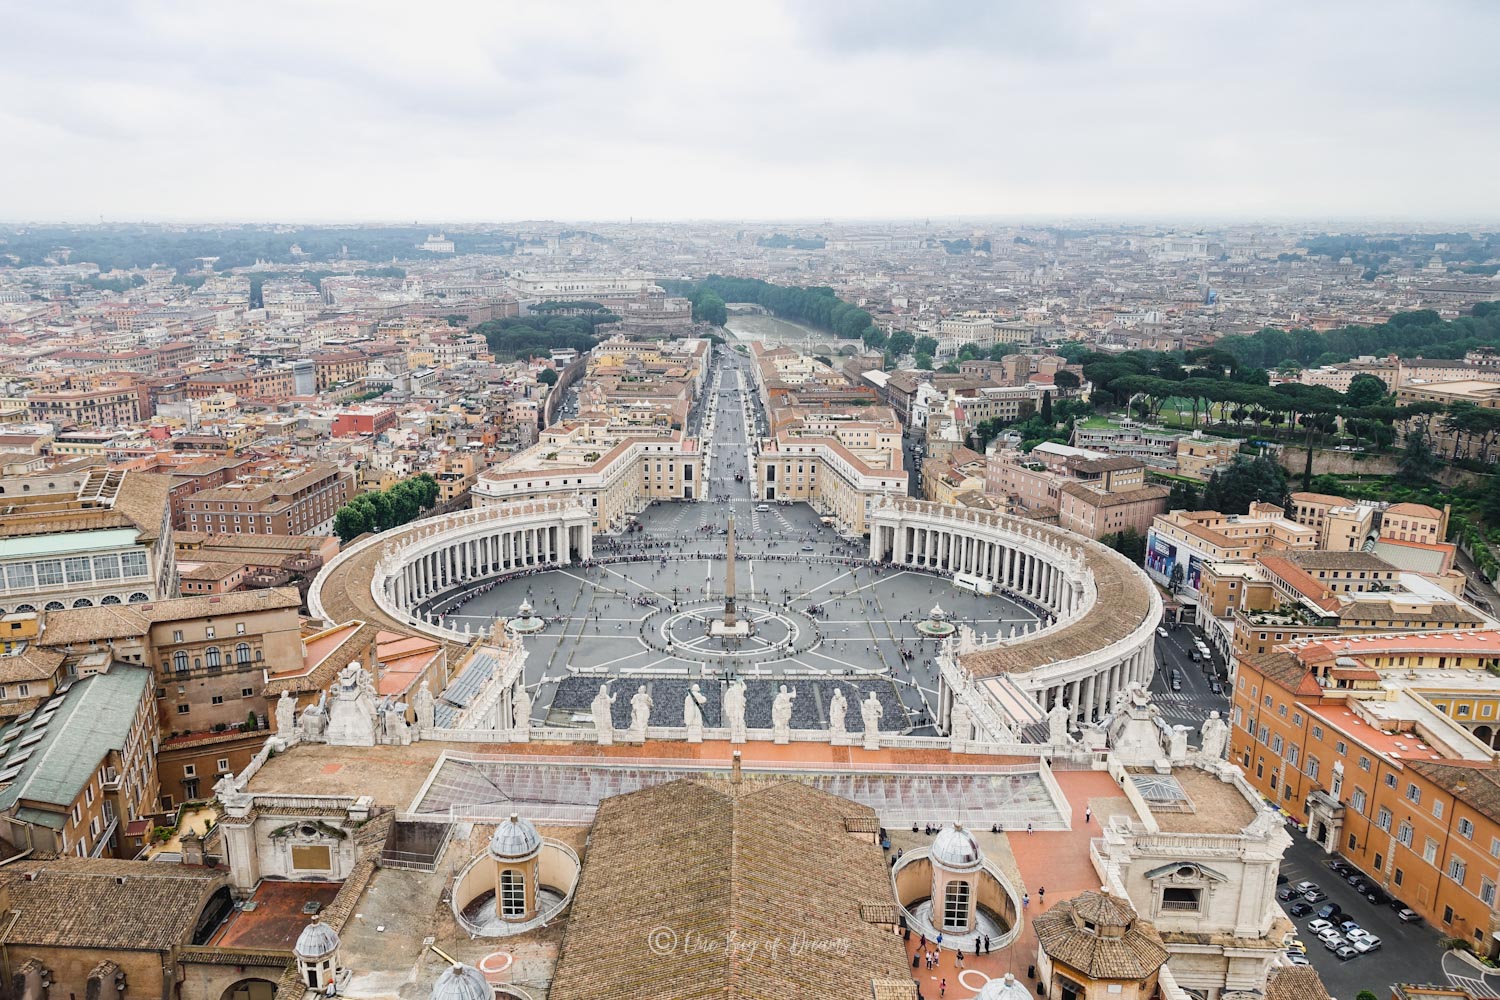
(641,612)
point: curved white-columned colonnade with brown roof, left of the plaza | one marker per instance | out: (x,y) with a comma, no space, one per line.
(386,578)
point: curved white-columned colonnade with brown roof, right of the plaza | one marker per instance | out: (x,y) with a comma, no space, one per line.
(1102,639)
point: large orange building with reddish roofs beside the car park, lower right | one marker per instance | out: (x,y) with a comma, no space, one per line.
(1382,746)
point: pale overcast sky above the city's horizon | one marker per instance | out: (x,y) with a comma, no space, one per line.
(260,110)
